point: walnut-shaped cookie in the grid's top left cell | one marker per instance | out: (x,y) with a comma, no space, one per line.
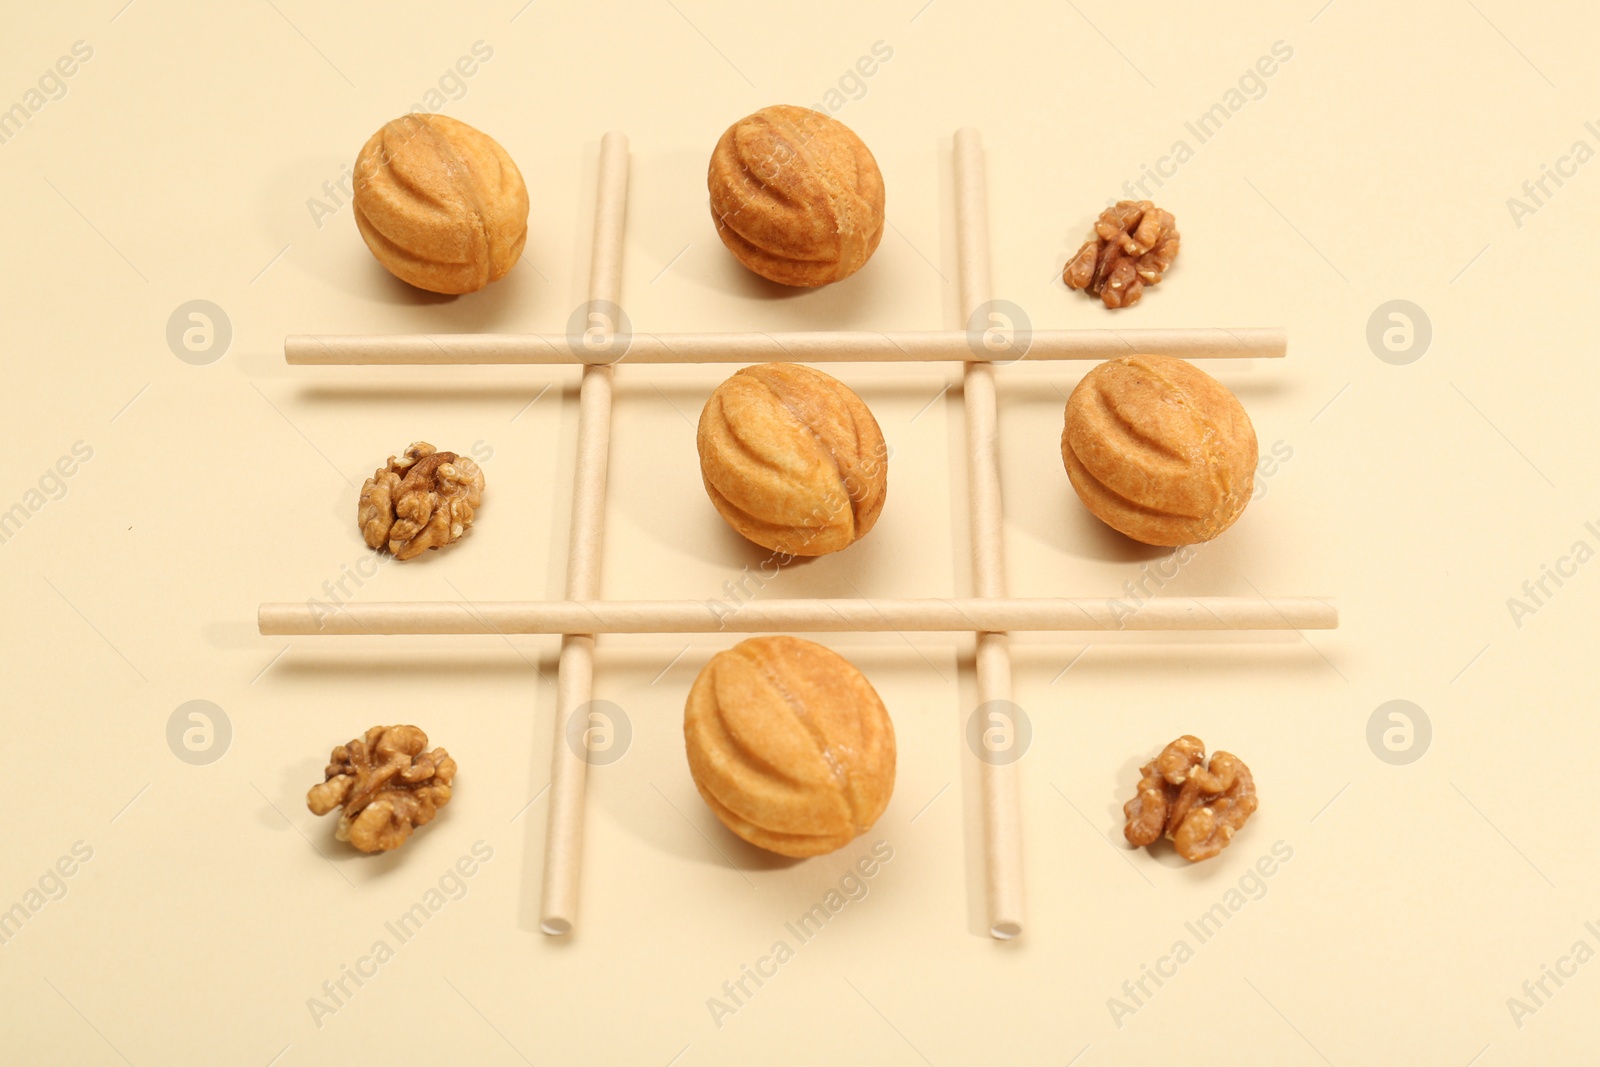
(441,204)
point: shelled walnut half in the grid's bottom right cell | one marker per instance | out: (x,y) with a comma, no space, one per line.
(1198,807)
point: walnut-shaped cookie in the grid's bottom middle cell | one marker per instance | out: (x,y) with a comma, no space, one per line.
(790,746)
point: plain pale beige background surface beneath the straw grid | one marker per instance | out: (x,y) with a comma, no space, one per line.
(1375,167)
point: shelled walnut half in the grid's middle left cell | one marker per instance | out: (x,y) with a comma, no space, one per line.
(418,502)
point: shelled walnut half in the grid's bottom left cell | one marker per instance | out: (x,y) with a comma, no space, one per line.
(388,785)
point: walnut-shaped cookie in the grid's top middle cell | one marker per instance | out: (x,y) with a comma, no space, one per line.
(796,196)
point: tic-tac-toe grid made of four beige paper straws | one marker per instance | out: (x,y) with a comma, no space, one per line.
(599,345)
